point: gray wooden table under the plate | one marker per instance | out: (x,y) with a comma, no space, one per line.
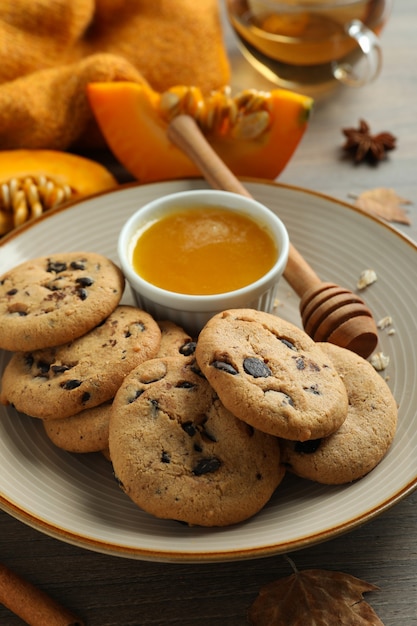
(112,591)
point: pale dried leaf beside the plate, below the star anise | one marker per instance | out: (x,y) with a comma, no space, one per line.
(385,203)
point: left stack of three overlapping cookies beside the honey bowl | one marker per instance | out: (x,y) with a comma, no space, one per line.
(72,342)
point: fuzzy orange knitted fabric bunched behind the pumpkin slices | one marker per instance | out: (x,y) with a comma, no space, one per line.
(50,50)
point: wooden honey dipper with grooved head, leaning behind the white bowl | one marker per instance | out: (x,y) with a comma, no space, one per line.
(328,312)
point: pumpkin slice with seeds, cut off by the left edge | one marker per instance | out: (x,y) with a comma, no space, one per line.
(34,181)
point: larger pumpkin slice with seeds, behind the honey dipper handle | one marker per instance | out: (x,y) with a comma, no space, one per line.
(254,132)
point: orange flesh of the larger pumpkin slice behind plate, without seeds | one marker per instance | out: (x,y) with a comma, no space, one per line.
(129,118)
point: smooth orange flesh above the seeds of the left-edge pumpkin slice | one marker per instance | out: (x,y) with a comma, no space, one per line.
(83,175)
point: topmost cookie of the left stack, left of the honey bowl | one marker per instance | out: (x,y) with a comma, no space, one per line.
(54,299)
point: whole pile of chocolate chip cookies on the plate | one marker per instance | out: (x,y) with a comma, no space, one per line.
(197,431)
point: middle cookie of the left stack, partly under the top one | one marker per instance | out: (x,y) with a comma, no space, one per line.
(65,380)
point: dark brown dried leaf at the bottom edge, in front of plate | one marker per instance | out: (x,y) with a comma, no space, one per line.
(314,598)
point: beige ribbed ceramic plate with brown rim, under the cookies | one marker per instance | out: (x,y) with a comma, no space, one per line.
(76,499)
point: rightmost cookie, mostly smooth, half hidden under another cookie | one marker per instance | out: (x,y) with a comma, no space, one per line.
(364,437)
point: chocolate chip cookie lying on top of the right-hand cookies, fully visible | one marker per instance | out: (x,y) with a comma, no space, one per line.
(272,375)
